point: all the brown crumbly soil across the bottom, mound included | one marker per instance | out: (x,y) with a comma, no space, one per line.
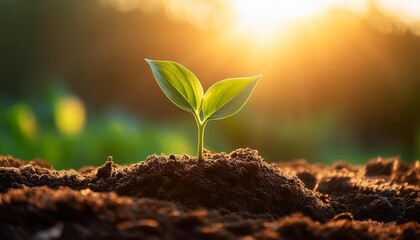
(223,196)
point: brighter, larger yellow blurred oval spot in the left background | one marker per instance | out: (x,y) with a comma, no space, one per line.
(70,116)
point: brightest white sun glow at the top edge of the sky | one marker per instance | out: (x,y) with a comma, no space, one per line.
(265,20)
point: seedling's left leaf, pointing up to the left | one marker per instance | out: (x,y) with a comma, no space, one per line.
(179,84)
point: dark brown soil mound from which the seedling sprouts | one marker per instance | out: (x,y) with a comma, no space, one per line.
(239,181)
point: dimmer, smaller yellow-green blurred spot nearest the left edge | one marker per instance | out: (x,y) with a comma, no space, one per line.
(26,121)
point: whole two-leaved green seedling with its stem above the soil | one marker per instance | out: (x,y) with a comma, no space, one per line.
(183,88)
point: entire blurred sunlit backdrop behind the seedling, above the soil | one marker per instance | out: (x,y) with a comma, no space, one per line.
(341,78)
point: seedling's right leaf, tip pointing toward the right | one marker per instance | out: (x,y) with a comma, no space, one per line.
(228,96)
